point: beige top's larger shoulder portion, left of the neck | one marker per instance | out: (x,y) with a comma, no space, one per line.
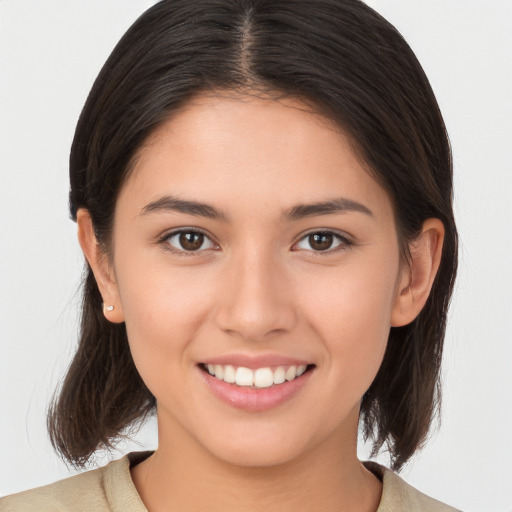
(106,489)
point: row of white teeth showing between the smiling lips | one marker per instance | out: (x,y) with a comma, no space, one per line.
(259,378)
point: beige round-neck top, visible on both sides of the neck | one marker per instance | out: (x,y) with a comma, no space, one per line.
(111,489)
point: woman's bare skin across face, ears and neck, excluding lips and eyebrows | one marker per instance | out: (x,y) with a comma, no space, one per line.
(259,287)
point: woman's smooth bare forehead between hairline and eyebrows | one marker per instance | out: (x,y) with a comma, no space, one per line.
(221,148)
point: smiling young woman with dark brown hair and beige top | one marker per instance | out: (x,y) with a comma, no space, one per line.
(263,193)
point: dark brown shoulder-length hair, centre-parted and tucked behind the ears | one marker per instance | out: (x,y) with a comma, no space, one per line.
(350,65)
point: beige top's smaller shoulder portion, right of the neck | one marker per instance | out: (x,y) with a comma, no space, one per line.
(399,496)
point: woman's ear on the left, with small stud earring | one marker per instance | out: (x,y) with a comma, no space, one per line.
(101,267)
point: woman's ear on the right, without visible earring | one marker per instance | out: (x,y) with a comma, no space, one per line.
(417,278)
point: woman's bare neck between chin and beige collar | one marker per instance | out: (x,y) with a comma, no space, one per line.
(180,475)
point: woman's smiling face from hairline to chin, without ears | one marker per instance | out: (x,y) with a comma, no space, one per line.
(250,245)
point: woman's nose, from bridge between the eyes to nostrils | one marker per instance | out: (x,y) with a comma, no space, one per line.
(255,300)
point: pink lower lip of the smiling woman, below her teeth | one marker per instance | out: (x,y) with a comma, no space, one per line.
(254,399)
